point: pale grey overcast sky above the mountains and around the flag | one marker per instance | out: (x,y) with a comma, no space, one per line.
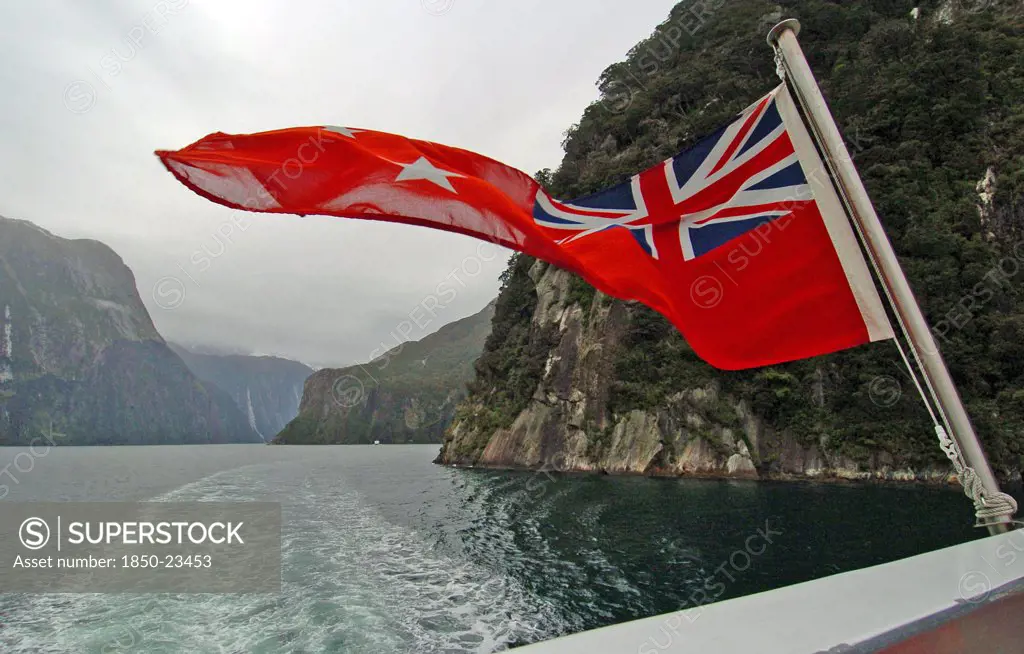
(92,89)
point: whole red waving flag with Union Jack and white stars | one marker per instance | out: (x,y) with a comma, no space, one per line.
(741,241)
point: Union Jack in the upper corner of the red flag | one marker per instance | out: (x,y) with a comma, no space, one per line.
(744,176)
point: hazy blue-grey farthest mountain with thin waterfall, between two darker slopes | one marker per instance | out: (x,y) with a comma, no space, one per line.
(267,389)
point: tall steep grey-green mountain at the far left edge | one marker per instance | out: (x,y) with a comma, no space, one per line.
(80,360)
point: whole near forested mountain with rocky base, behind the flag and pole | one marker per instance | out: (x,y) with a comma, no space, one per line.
(930,98)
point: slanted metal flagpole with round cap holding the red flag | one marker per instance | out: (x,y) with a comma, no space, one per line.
(784,39)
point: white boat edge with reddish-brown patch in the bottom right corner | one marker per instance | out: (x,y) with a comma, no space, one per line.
(922,604)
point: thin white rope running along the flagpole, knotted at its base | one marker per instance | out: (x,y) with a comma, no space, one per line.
(989,508)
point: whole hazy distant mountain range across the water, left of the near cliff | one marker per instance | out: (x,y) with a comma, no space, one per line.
(81,364)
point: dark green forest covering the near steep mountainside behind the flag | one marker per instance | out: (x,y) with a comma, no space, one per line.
(929,106)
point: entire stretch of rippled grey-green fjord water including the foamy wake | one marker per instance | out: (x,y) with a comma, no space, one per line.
(385,552)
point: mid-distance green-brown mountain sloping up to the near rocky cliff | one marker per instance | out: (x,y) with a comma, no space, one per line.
(408,396)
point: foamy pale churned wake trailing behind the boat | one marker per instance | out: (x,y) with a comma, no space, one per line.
(353,582)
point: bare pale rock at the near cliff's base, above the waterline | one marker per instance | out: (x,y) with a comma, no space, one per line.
(571,421)
